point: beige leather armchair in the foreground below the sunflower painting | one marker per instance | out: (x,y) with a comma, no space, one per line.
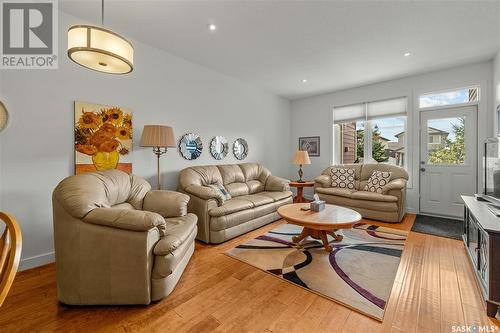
(118,242)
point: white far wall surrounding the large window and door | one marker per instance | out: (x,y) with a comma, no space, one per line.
(312,116)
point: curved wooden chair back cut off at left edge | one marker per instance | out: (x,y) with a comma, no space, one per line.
(10,253)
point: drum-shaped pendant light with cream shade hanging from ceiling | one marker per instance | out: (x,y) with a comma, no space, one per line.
(100,49)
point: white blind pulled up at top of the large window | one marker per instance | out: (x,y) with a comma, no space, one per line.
(370,110)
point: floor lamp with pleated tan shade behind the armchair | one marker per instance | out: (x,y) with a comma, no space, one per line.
(160,138)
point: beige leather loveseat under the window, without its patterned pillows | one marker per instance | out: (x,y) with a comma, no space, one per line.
(388,206)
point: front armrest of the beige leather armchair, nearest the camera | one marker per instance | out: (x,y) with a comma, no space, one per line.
(128,219)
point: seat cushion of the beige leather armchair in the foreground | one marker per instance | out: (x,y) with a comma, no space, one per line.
(177,232)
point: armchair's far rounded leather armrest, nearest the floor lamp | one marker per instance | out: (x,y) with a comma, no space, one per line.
(166,203)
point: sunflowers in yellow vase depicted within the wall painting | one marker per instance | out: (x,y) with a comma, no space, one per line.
(104,135)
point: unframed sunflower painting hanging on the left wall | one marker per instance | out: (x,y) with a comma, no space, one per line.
(103,138)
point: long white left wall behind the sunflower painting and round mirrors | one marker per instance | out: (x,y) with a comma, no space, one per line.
(37,149)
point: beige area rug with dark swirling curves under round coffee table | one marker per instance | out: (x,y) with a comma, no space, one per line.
(359,273)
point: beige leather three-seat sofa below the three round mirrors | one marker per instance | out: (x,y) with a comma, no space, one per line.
(255,197)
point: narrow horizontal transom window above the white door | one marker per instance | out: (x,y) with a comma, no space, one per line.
(458,96)
